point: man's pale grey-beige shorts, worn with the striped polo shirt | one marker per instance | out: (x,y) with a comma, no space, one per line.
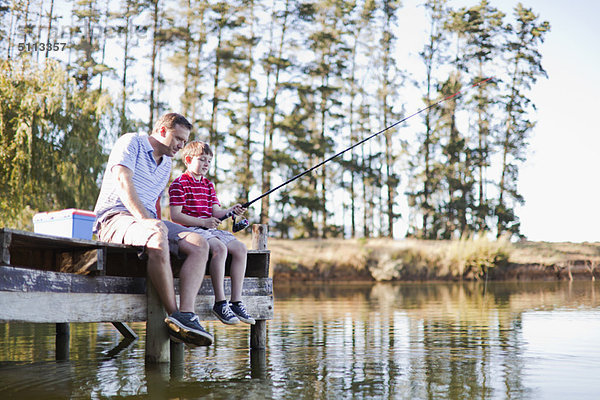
(124,228)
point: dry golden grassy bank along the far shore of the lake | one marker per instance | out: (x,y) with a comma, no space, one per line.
(411,259)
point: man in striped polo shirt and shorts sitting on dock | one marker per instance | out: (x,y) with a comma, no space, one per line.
(137,172)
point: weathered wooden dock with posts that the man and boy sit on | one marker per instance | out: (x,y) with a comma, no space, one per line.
(60,280)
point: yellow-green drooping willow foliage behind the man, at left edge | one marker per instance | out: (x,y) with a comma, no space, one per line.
(50,152)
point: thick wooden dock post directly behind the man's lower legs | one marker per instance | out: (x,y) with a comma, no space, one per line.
(157,336)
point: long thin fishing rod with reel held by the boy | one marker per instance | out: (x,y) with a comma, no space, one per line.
(242,224)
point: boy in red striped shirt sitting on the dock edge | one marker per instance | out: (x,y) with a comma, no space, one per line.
(193,203)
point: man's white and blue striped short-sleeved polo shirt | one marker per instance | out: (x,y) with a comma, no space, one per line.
(134,151)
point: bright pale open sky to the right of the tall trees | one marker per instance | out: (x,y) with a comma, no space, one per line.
(559,179)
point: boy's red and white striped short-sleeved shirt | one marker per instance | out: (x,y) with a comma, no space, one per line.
(196,196)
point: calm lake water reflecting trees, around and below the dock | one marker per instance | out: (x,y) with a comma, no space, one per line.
(530,340)
